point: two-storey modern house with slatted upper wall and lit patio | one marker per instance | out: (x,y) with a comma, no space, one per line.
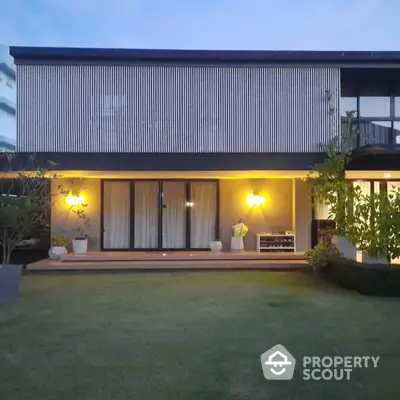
(165,146)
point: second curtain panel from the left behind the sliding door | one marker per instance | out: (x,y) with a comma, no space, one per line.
(146,215)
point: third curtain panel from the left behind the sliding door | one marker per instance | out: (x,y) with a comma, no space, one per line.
(174,215)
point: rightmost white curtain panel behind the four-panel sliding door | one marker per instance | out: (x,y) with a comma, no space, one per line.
(203,195)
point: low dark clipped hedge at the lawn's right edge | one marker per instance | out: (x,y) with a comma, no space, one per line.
(369,279)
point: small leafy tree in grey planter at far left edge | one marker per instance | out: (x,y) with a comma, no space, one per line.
(25,204)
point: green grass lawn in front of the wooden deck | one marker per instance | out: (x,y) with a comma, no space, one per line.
(189,336)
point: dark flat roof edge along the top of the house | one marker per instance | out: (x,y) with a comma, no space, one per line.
(26,55)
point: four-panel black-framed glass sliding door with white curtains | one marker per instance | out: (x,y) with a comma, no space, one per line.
(159,214)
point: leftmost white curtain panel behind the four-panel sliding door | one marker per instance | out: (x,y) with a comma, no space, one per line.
(116,215)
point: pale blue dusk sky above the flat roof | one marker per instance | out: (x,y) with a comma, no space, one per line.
(205,24)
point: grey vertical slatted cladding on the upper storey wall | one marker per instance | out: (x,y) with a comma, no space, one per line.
(85,108)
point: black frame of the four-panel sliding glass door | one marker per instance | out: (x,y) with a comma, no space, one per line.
(160,213)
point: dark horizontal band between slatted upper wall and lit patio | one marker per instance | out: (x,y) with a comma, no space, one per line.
(170,161)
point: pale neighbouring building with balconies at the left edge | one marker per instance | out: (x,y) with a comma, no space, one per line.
(7,100)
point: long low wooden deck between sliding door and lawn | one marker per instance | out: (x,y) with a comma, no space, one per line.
(171,261)
